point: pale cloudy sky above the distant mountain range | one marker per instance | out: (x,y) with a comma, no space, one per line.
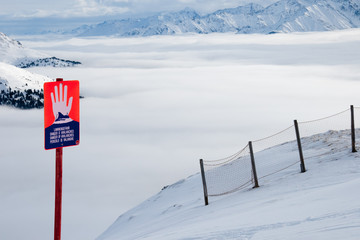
(92,8)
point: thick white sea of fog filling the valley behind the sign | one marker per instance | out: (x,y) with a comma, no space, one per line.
(153,107)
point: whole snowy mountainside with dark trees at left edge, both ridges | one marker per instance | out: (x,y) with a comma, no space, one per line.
(19,87)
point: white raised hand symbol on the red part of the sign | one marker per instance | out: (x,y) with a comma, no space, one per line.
(59,102)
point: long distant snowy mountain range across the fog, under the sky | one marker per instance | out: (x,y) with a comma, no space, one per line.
(282,16)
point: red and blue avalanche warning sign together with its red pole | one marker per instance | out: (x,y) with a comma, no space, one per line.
(62,120)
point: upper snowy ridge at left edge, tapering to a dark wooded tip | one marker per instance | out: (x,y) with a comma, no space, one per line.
(13,52)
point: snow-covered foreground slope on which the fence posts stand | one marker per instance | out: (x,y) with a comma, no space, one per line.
(318,204)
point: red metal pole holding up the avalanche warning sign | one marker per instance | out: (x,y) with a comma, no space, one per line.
(58,190)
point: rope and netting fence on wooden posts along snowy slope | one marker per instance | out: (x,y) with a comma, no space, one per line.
(265,157)
